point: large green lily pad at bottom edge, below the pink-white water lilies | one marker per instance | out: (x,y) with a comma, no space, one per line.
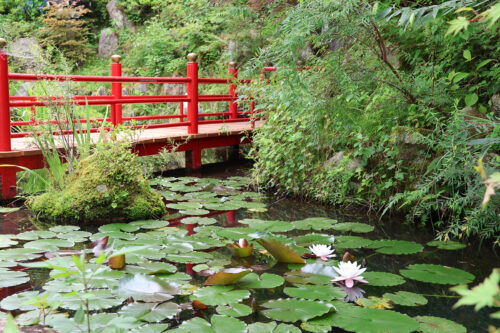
(358,319)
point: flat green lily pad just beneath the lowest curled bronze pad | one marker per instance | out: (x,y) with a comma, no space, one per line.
(219,295)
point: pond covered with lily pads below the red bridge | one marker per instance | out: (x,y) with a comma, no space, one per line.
(183,272)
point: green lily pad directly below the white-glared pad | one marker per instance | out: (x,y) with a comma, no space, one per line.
(150,312)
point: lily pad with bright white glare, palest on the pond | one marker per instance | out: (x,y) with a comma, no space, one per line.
(147,288)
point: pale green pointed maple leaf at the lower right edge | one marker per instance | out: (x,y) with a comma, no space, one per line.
(481,295)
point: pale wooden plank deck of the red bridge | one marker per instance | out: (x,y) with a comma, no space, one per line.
(26,146)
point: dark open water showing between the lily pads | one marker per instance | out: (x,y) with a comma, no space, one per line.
(440,298)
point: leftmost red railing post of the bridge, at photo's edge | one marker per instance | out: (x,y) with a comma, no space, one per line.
(5,144)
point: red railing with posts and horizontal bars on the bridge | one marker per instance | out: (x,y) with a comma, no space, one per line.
(191,119)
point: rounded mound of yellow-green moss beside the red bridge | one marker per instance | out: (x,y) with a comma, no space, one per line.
(108,184)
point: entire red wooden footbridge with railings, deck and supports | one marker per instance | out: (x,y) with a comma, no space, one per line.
(191,132)
